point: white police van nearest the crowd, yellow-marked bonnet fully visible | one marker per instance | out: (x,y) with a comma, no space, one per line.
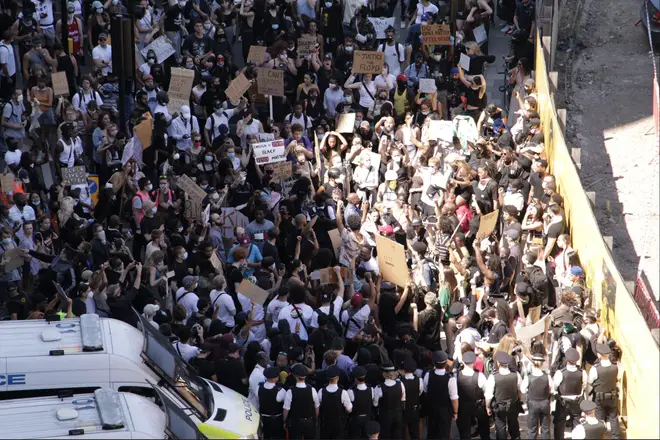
(39,357)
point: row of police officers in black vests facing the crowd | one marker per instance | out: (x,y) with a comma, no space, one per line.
(467,397)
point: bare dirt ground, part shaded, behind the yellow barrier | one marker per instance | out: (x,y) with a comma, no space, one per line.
(605,80)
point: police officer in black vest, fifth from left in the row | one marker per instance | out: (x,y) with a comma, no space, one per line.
(389,397)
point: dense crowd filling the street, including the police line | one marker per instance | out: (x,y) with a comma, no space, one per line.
(185,226)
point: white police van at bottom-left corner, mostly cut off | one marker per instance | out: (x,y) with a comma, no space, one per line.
(104,414)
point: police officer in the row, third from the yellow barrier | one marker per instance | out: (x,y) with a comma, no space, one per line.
(538,388)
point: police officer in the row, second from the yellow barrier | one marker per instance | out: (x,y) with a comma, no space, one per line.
(569,384)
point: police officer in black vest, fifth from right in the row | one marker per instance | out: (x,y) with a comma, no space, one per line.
(471,386)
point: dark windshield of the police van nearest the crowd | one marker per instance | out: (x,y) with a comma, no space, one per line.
(159,354)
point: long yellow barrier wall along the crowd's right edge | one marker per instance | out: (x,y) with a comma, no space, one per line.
(619,313)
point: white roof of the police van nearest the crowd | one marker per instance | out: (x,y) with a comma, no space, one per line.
(85,335)
